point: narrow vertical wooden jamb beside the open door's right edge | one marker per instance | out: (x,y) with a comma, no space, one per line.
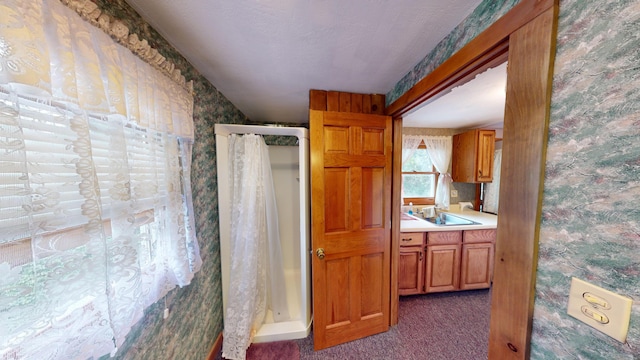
(396,194)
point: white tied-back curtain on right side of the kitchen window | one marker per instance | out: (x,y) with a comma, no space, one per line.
(440,149)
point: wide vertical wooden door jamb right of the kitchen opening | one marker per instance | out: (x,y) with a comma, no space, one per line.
(529,83)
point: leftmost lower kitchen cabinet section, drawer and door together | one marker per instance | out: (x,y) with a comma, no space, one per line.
(411,264)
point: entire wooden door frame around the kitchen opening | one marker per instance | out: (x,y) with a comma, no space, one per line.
(526,36)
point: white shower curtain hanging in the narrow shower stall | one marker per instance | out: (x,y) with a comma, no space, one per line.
(256,281)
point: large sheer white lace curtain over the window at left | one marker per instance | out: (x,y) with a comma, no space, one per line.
(96,219)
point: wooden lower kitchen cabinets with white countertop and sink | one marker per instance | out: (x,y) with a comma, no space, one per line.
(437,258)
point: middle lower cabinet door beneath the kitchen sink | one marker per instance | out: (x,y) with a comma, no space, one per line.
(443,268)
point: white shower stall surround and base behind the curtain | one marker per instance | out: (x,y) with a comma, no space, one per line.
(290,169)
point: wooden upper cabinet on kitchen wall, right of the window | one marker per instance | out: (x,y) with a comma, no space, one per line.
(473,156)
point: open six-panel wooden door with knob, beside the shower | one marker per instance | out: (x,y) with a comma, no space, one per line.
(351,158)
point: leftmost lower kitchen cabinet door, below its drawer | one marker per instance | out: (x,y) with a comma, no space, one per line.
(411,270)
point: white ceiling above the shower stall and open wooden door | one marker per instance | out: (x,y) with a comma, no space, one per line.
(265,55)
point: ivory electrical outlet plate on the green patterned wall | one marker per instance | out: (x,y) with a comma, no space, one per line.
(599,308)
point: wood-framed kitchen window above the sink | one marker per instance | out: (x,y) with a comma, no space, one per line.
(419,178)
